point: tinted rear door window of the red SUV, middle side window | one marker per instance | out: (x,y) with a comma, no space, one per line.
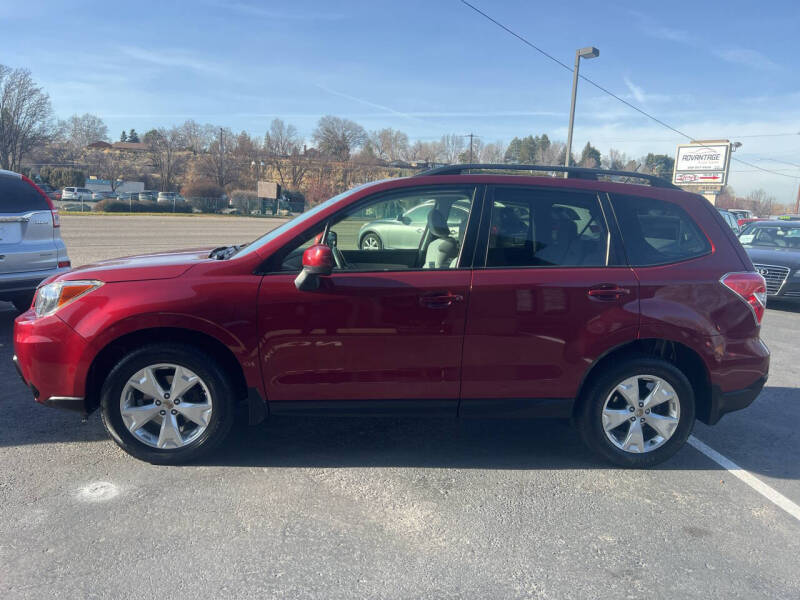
(545,228)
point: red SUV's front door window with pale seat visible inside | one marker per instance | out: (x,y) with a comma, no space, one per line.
(420,228)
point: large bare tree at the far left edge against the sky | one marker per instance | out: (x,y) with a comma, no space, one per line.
(25,116)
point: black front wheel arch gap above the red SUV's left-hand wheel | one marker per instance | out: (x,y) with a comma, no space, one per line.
(114,351)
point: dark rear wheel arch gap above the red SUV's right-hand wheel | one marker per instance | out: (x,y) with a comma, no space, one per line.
(687,360)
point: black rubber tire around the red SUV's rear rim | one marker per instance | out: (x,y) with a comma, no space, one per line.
(589,414)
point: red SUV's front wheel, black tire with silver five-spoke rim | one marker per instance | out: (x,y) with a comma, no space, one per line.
(167,404)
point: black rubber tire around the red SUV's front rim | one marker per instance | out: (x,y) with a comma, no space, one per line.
(205,367)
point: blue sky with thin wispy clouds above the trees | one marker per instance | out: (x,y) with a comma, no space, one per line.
(713,69)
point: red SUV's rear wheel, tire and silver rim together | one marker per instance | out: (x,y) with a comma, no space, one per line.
(637,413)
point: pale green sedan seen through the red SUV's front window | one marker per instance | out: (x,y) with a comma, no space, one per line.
(403,231)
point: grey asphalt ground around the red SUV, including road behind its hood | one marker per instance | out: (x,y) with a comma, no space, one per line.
(390,508)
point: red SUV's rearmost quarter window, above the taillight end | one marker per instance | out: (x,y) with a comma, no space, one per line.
(656,232)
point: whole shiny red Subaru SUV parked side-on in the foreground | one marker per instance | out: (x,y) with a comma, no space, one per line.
(631,309)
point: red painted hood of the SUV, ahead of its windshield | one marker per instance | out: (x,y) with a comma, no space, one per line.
(162,265)
